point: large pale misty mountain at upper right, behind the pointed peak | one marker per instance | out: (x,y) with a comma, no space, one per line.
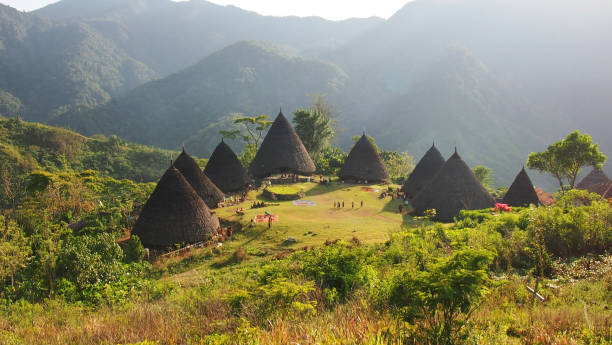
(554,54)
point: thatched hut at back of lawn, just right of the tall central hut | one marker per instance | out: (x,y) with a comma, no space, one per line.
(363,163)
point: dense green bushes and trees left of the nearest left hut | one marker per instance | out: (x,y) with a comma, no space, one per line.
(61,240)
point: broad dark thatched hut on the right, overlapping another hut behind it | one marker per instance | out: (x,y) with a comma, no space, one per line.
(454,188)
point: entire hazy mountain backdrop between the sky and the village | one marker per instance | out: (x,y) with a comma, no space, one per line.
(497,78)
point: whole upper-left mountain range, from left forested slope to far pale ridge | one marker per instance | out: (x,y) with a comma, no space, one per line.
(81,53)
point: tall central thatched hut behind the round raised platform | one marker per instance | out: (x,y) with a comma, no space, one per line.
(281,151)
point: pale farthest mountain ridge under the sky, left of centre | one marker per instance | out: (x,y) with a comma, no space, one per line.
(169,36)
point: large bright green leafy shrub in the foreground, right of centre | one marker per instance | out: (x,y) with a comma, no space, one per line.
(440,299)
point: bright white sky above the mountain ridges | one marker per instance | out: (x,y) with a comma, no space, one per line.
(330,9)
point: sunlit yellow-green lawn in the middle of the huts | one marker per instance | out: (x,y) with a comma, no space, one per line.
(313,225)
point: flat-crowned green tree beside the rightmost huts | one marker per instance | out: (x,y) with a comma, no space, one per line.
(566,158)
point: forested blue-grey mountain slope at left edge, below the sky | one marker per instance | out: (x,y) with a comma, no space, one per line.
(51,66)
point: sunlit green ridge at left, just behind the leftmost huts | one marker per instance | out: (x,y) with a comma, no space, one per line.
(26,147)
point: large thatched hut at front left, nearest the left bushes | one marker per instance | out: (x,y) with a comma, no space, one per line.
(174,214)
